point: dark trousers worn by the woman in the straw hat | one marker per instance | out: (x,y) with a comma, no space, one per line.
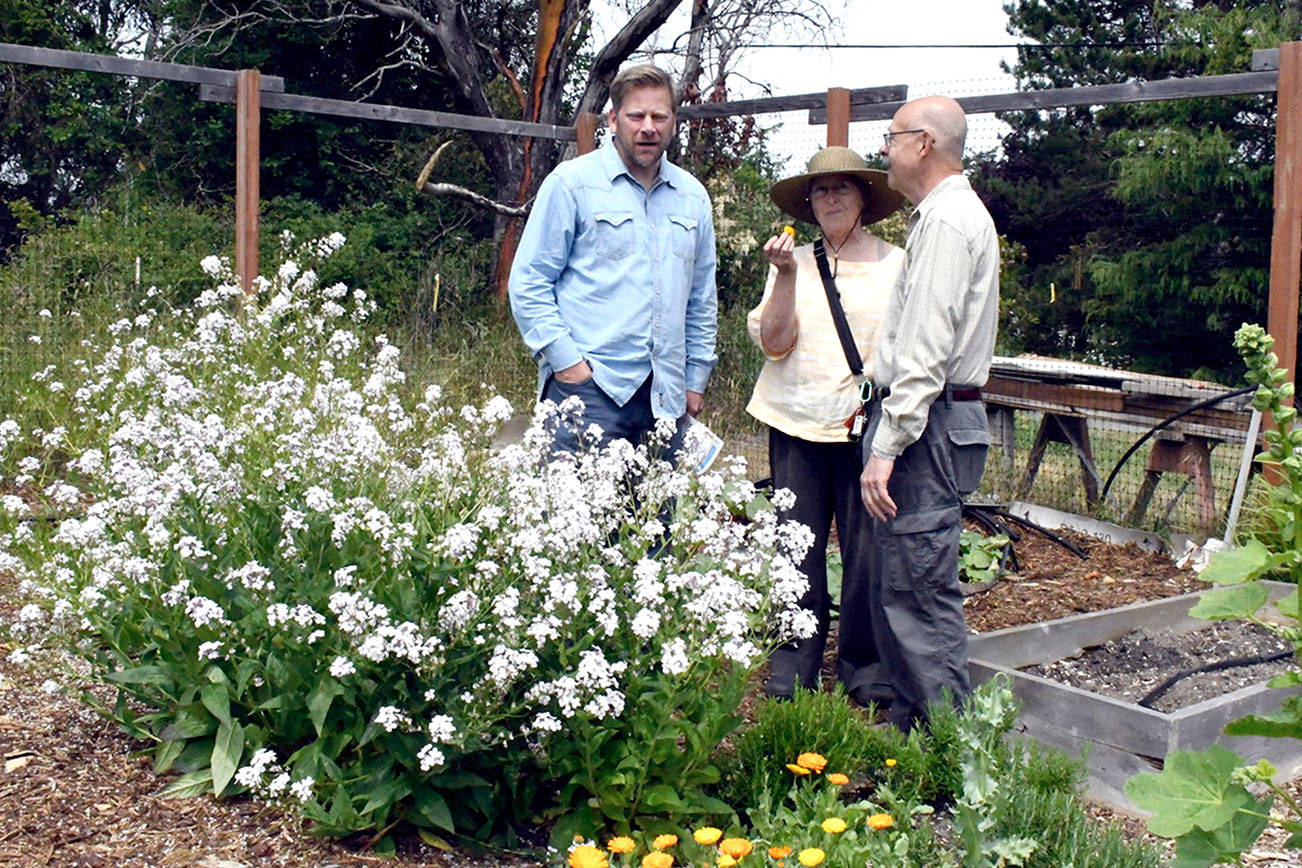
(825,477)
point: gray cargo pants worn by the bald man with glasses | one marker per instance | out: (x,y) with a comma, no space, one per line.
(913,559)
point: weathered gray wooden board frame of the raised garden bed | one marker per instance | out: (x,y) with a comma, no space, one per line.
(1123,739)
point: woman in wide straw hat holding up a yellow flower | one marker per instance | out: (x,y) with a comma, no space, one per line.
(809,392)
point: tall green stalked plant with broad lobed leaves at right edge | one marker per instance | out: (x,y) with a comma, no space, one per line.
(1208,801)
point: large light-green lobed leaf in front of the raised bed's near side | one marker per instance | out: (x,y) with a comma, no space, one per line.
(1195,789)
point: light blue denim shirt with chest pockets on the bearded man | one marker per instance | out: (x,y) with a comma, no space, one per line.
(619,277)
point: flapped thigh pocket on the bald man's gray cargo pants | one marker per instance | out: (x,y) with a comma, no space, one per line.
(922,550)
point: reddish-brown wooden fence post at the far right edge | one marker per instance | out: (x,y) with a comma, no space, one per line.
(1287,239)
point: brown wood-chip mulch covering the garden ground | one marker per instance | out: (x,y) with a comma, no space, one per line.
(72,793)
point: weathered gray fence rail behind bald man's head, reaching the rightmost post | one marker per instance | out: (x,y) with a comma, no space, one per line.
(1166,89)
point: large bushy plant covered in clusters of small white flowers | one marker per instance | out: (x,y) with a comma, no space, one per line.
(317,582)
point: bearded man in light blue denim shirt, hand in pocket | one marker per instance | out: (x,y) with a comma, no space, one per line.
(614,283)
